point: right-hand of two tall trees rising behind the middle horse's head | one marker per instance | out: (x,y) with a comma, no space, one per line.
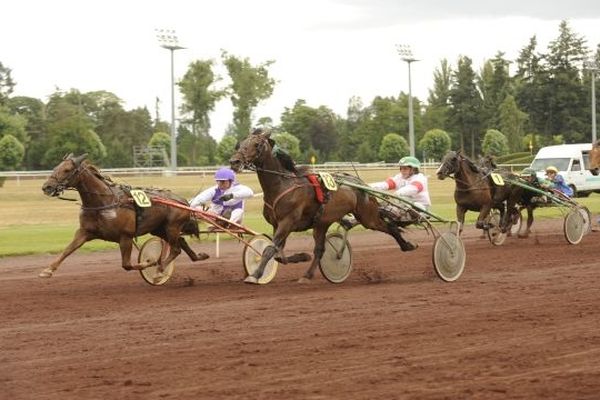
(249,86)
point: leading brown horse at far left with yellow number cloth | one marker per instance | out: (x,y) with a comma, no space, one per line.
(108,213)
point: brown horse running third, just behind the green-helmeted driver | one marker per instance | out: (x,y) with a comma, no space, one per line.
(476,192)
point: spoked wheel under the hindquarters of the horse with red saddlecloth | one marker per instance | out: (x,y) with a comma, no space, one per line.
(336,263)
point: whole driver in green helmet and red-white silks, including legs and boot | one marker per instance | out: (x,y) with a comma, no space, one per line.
(410,184)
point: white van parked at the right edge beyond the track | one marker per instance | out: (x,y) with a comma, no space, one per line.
(572,162)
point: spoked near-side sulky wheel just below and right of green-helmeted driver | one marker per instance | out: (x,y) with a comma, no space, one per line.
(449,256)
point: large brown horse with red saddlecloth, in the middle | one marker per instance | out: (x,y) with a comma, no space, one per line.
(290,203)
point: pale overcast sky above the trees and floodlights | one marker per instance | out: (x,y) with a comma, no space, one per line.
(325,51)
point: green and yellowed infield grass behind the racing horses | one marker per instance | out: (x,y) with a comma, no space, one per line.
(31,223)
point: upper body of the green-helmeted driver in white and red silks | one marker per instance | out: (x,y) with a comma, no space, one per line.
(409,183)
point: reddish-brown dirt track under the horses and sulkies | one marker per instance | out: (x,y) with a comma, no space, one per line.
(523,322)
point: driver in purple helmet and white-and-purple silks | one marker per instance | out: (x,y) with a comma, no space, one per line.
(226,198)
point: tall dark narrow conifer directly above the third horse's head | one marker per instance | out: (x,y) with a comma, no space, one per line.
(465,111)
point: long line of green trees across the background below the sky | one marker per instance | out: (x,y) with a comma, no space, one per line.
(541,98)
